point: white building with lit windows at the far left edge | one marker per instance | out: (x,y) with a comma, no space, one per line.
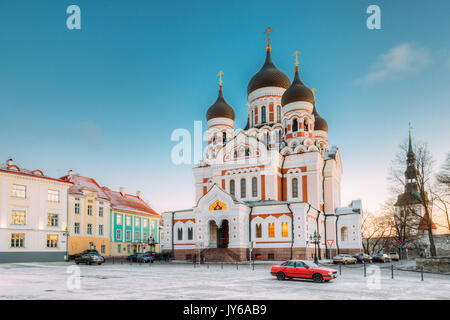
(33,215)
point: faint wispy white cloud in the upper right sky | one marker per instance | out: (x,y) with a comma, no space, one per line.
(401,59)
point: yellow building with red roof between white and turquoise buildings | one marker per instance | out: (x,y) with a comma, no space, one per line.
(89,212)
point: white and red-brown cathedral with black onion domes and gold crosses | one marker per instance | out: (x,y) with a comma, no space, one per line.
(271,191)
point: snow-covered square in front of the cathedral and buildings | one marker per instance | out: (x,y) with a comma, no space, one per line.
(182,281)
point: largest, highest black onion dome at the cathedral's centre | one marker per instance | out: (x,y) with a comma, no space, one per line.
(268,76)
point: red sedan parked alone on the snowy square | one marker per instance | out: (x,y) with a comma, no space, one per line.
(303,269)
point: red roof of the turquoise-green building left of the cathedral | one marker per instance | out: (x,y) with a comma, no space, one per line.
(129,202)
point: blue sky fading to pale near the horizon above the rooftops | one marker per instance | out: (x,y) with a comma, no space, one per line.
(105,99)
